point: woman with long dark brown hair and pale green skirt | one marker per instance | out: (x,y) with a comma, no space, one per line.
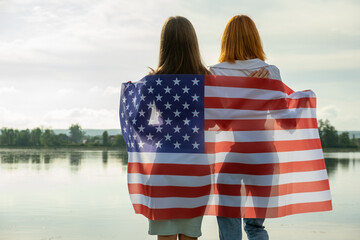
(179,54)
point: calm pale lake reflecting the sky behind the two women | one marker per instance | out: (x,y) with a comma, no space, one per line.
(78,194)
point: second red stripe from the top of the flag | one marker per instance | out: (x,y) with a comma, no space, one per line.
(259,104)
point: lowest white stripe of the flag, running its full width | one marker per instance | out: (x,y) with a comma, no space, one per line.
(230,201)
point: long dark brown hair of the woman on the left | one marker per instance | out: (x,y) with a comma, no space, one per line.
(179,49)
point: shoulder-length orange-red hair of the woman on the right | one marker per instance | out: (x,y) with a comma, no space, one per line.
(241,40)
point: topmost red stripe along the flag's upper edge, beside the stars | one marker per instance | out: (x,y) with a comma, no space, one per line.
(247,82)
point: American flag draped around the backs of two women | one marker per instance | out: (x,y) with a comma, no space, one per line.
(226,146)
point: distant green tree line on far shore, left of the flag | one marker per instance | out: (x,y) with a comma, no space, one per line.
(47,138)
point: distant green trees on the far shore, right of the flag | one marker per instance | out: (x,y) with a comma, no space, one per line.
(330,138)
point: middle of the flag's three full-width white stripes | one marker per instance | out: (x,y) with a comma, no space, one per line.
(227,178)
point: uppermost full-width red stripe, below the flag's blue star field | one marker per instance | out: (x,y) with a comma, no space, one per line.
(225,167)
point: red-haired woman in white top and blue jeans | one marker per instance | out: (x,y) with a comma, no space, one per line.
(241,54)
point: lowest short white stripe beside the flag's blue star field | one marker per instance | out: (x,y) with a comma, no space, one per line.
(261,136)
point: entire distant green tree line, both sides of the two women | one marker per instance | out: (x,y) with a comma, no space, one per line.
(47,138)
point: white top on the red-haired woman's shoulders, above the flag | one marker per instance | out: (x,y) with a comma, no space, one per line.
(243,68)
